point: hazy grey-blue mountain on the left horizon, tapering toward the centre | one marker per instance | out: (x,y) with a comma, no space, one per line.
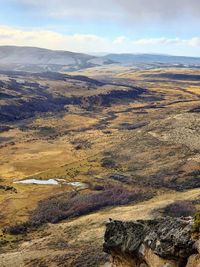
(39,59)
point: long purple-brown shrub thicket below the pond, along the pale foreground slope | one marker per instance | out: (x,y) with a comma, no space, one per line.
(73,204)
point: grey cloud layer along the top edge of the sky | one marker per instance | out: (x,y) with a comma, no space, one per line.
(113,9)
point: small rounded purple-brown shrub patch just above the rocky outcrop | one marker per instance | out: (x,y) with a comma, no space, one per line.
(180,208)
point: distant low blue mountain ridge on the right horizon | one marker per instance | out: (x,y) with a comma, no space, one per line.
(152,58)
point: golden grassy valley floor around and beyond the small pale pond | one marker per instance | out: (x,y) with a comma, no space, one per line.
(42,156)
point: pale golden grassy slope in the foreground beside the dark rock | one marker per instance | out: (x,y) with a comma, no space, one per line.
(47,245)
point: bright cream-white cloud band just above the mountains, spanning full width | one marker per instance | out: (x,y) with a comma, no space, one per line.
(94,43)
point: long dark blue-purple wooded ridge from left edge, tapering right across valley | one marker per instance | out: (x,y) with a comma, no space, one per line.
(43,100)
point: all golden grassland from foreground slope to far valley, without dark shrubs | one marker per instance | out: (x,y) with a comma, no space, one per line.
(165,147)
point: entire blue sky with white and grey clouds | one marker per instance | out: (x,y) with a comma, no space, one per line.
(103,26)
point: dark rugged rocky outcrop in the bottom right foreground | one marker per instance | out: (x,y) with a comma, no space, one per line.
(164,242)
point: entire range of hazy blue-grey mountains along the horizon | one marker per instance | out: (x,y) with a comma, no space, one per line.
(33,59)
